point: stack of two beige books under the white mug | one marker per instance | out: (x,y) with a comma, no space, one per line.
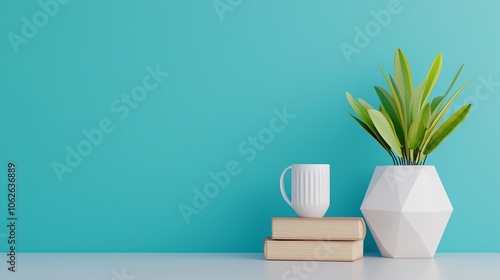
(316,239)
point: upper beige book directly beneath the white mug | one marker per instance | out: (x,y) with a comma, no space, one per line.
(318,228)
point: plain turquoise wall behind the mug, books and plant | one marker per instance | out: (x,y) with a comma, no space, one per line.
(118,113)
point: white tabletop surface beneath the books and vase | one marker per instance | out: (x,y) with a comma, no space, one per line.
(109,266)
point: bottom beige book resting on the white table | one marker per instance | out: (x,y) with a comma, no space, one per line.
(313,250)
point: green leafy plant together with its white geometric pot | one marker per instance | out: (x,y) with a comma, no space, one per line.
(406,206)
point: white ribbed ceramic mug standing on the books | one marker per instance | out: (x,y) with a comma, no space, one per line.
(310,189)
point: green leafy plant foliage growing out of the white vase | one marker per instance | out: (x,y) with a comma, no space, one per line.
(406,125)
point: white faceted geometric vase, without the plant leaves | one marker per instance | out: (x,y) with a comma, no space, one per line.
(407,210)
